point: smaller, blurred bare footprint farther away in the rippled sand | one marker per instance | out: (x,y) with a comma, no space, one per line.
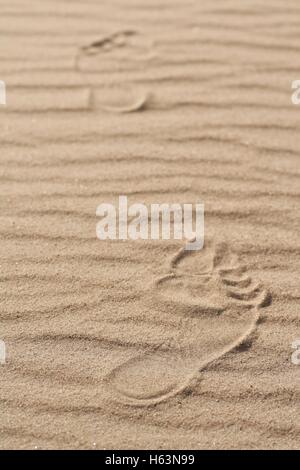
(106,64)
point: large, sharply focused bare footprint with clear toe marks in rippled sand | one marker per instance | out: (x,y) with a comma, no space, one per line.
(217,305)
